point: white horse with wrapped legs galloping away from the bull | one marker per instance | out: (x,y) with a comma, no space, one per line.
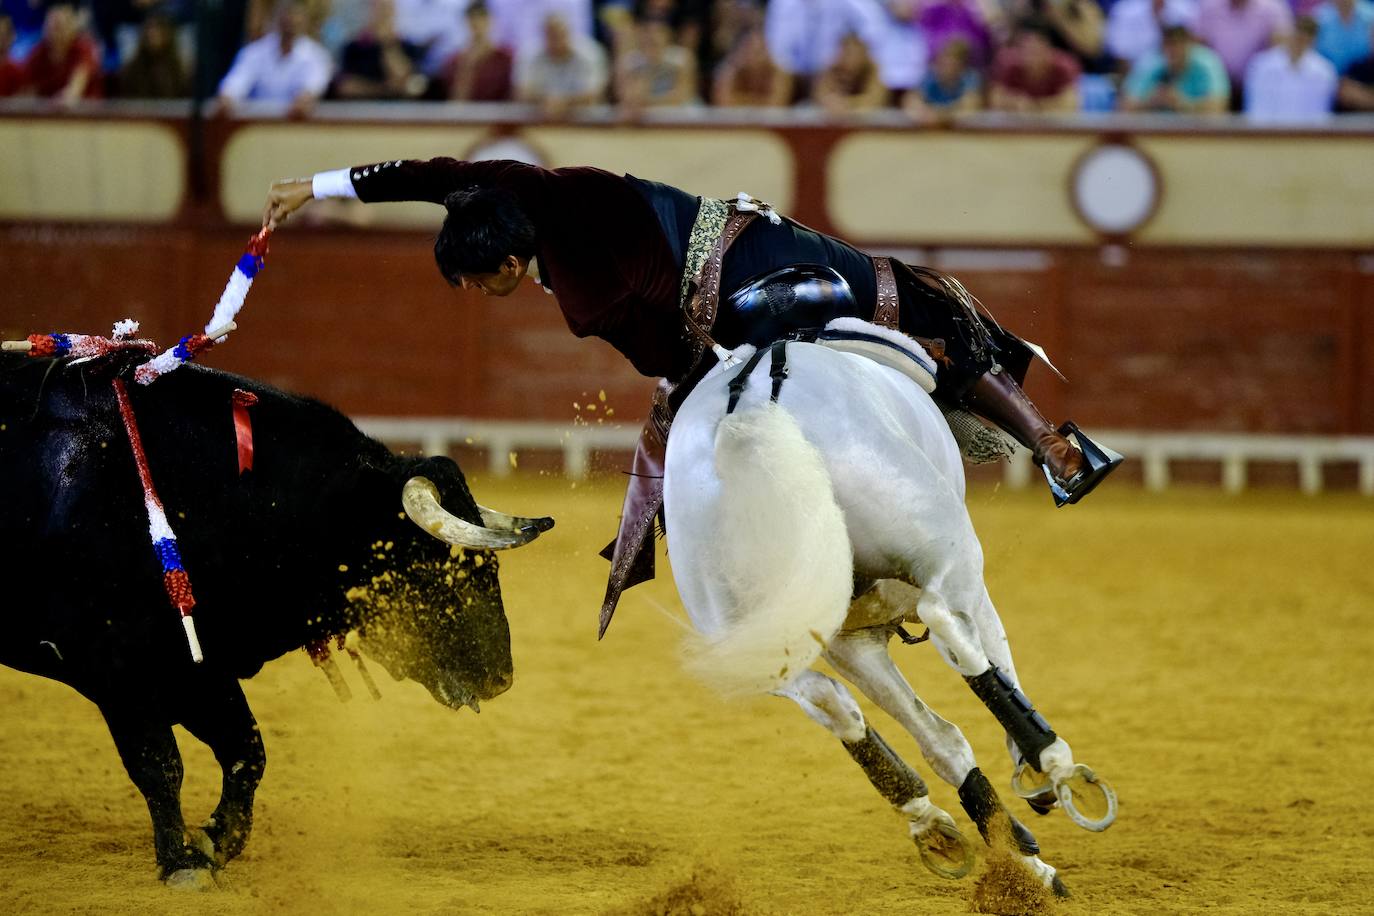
(836,476)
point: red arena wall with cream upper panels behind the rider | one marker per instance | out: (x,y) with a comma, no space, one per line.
(1153,329)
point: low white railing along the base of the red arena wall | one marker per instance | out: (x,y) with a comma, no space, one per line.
(1155,451)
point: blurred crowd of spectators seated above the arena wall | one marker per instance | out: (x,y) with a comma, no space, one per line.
(1273,60)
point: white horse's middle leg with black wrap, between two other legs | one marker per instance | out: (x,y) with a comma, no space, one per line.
(862,659)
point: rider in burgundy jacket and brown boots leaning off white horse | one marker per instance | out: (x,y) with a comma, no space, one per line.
(645,267)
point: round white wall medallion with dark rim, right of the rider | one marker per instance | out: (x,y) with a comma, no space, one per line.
(1115,189)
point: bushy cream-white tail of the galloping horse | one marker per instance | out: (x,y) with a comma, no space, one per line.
(784,556)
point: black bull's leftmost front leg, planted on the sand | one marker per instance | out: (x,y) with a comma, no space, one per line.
(155,764)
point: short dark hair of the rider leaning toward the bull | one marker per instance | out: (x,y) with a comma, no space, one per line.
(483,227)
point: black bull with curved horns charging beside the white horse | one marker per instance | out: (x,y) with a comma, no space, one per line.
(310,545)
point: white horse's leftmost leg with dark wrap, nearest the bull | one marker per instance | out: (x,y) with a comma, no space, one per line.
(943,849)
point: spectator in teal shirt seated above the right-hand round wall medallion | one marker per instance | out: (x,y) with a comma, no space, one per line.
(1185,78)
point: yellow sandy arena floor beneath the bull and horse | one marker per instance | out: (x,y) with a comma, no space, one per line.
(1211,659)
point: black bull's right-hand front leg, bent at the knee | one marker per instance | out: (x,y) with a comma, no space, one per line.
(225,723)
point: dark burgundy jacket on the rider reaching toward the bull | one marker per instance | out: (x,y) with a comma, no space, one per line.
(600,245)
